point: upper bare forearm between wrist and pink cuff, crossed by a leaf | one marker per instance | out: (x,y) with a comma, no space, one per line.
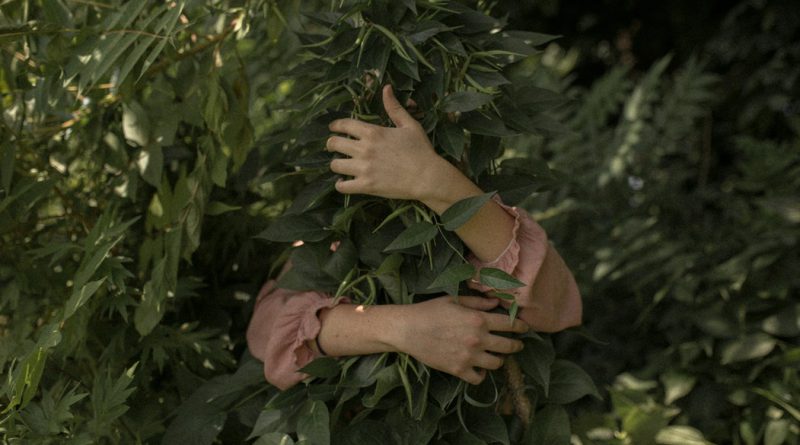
(489,231)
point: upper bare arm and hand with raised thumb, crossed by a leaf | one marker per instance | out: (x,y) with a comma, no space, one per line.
(401,163)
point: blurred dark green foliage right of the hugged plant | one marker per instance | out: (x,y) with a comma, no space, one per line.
(689,243)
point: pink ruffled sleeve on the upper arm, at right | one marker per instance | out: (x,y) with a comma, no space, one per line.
(550,300)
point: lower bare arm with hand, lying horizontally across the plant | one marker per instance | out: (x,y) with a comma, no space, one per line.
(454,337)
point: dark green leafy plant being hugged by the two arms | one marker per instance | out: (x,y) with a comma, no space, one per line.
(450,60)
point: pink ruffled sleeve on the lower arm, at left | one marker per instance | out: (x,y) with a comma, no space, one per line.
(283,322)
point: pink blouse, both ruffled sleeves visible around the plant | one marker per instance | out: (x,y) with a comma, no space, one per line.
(284,320)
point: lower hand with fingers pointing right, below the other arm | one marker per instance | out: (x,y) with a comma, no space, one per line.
(456,337)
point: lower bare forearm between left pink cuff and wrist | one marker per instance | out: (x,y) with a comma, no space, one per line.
(350,329)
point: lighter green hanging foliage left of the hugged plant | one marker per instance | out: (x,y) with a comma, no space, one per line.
(121,125)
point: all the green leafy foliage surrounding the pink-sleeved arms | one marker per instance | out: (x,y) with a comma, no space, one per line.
(145,145)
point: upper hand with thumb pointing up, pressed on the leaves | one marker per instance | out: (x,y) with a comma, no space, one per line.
(392,162)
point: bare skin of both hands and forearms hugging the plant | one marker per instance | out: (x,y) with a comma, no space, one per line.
(456,336)
